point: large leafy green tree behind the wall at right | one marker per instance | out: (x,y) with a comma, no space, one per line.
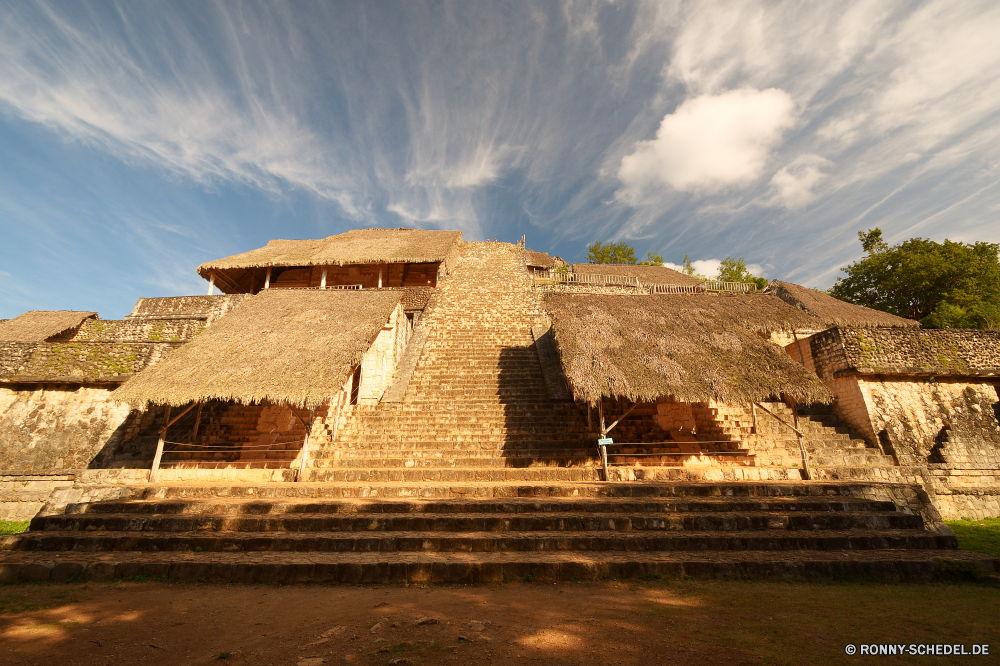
(943,285)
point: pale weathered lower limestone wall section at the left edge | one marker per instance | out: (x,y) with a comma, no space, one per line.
(57,427)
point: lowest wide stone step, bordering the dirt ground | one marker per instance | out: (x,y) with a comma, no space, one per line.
(458,568)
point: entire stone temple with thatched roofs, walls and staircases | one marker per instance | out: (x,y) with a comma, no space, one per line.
(403,405)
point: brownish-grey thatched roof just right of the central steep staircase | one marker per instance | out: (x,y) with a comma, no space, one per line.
(694,348)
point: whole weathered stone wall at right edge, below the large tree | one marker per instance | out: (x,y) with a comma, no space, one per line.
(933,405)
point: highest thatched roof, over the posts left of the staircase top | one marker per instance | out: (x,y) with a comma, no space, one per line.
(358,246)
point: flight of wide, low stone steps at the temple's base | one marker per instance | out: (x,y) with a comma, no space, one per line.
(468,533)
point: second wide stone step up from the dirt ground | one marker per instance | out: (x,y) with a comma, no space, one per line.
(480,542)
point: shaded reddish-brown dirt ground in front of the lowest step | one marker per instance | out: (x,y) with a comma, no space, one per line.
(652,622)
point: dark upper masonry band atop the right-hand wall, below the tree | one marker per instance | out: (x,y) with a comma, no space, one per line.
(895,351)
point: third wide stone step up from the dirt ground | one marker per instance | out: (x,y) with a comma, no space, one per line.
(524,522)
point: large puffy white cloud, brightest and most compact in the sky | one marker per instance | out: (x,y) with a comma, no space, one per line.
(709,142)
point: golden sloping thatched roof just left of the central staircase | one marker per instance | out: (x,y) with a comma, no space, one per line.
(280,346)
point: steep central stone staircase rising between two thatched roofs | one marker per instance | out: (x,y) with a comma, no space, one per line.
(476,407)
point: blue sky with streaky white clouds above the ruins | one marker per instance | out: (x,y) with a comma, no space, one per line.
(138,140)
